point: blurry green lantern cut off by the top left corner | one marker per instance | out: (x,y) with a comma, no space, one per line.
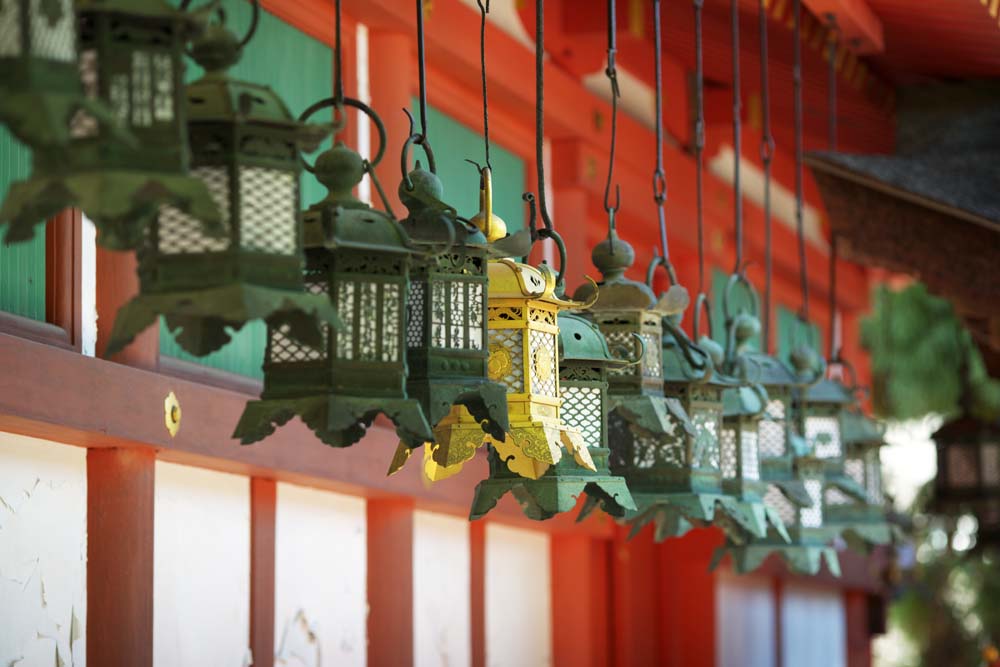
(40,87)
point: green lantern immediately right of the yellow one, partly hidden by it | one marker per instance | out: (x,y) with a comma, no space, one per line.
(584,362)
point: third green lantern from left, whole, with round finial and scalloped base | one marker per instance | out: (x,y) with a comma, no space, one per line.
(246,151)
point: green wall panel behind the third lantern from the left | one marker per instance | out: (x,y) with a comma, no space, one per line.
(300,70)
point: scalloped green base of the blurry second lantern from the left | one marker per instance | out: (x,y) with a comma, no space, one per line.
(120,203)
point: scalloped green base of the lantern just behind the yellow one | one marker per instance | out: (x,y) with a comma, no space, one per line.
(557,491)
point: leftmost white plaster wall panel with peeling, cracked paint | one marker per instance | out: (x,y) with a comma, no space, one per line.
(43,552)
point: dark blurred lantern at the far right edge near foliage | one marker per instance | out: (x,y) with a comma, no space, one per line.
(968,478)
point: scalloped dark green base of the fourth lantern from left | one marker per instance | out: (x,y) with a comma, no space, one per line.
(338,421)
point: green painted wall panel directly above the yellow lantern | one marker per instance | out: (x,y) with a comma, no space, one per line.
(453,143)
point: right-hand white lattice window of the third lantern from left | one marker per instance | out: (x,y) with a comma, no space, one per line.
(268,201)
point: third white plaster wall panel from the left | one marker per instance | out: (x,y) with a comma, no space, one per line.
(320,605)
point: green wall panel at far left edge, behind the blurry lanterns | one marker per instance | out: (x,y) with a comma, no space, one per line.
(22,266)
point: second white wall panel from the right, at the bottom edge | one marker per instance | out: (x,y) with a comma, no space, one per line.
(744,610)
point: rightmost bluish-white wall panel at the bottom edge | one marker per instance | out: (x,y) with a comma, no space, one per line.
(813,626)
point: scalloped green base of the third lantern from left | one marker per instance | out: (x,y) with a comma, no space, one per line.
(200,318)
